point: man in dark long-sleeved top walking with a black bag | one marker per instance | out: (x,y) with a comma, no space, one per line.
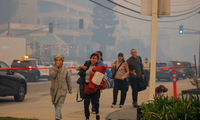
(135,74)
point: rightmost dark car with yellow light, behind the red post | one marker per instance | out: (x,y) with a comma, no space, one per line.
(184,72)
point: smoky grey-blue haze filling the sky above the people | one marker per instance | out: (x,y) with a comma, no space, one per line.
(109,31)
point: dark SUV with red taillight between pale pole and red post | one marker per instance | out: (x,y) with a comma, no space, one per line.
(165,73)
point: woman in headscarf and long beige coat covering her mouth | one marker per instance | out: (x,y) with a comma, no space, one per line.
(60,83)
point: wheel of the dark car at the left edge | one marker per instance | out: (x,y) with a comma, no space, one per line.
(21,93)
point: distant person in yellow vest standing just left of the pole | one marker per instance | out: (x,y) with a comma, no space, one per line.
(146,65)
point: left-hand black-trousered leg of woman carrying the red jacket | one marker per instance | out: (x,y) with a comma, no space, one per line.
(86,106)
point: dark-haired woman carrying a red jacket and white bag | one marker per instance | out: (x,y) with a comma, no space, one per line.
(94,97)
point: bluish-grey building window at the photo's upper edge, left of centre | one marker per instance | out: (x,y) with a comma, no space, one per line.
(46,6)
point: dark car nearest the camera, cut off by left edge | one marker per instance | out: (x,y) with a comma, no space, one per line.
(12,83)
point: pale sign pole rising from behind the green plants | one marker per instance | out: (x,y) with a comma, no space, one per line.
(153,48)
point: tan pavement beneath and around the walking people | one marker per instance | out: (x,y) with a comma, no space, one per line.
(37,103)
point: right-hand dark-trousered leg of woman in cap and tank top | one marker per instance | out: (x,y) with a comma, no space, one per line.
(124,84)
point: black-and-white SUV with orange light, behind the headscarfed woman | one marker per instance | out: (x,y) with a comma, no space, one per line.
(32,74)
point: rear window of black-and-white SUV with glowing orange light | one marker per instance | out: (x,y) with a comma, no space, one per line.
(22,63)
